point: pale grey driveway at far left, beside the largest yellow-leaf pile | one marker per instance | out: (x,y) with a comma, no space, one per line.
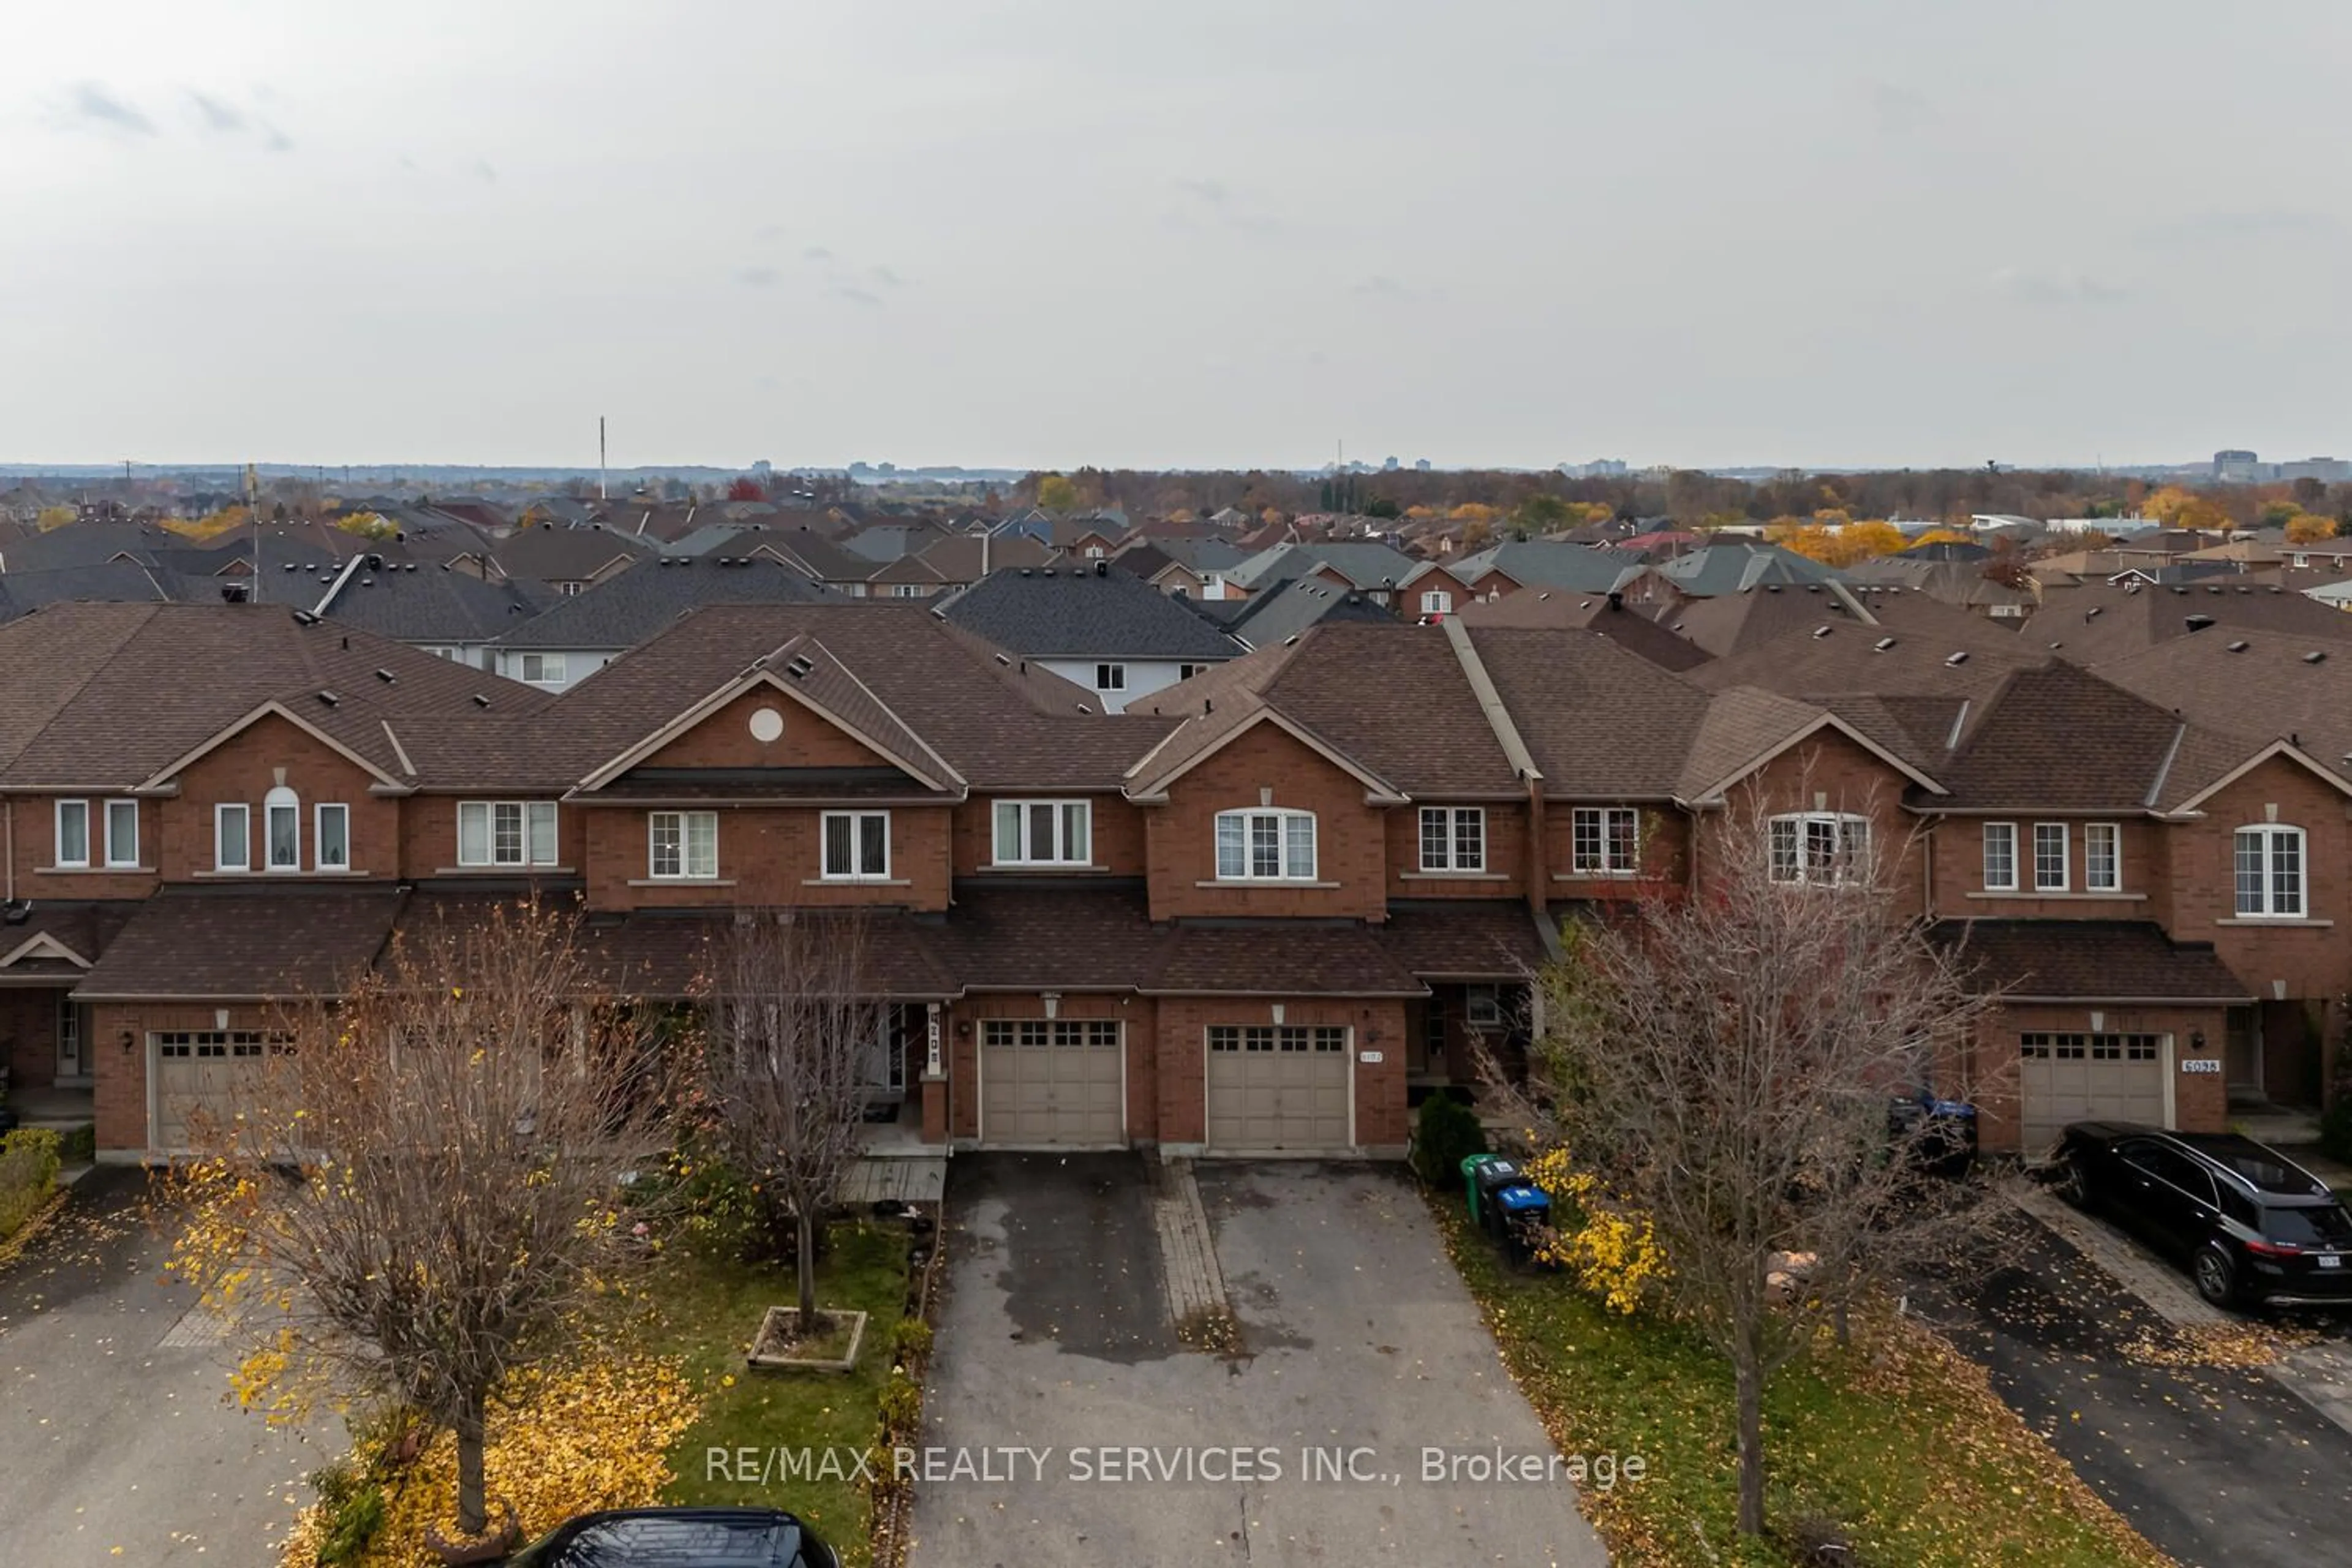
(119,1447)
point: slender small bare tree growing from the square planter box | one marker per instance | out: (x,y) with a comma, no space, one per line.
(791,1031)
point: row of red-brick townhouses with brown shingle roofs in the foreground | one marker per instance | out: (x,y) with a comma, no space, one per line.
(1262,911)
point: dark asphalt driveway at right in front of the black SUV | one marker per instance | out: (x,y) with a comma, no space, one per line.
(2214,1466)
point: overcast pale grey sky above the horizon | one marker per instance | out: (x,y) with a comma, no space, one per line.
(1205,234)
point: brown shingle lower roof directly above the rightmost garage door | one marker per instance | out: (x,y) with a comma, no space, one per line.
(2090,960)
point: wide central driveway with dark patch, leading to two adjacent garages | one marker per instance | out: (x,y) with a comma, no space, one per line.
(1067,1423)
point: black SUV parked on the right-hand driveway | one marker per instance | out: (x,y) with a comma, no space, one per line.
(2250,1224)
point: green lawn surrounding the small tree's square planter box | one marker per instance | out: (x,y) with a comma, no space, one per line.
(707,1313)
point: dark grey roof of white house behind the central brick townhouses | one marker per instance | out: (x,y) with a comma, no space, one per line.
(1083,615)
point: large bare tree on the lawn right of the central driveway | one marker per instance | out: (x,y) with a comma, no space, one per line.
(1725,1061)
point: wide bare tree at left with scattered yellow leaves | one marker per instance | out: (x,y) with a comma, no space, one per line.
(422,1186)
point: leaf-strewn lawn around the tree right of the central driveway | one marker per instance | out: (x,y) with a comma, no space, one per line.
(1899,1440)
